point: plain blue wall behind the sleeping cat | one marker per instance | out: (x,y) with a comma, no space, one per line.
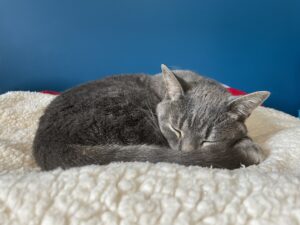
(55,44)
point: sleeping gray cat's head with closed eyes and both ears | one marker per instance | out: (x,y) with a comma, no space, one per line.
(204,117)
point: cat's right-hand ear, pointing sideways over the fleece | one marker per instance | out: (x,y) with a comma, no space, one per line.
(241,107)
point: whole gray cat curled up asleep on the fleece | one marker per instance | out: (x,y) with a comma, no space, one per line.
(176,116)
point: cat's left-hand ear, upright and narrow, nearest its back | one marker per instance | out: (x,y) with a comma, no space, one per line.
(173,87)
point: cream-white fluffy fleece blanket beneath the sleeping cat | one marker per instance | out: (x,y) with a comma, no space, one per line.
(144,193)
